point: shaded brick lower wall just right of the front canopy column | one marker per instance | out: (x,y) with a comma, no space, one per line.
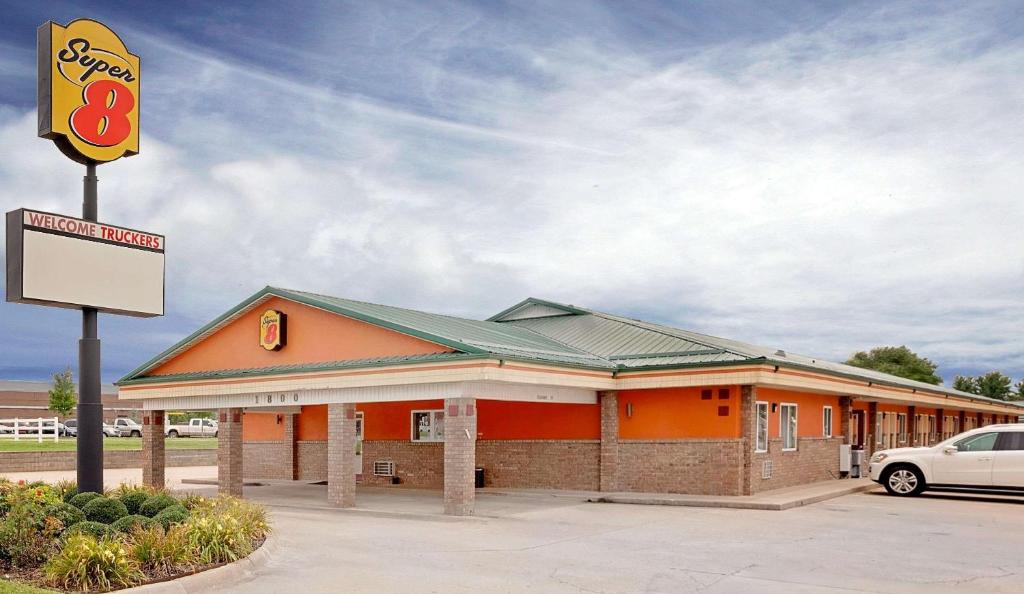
(541,464)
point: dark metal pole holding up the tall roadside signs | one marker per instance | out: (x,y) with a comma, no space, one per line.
(91,407)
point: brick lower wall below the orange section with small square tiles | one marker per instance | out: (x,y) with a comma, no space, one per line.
(690,466)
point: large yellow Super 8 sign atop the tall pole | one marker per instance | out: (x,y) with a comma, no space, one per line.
(89,92)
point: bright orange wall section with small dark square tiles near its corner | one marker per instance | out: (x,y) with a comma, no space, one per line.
(677,413)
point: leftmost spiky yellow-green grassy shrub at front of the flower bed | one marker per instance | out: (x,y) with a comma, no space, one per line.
(87,564)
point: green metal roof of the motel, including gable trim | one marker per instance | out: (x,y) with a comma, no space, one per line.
(534,330)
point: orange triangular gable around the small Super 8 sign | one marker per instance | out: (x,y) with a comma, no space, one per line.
(314,336)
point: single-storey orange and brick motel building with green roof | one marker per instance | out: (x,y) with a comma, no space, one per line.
(542,396)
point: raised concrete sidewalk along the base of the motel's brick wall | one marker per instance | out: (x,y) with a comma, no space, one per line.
(777,500)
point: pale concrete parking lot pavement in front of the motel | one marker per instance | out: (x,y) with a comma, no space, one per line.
(860,543)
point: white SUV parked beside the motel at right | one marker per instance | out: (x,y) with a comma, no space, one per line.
(989,458)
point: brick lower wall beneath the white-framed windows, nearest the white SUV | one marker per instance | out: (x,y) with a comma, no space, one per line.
(816,459)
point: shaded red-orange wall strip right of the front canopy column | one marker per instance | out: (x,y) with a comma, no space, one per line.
(503,420)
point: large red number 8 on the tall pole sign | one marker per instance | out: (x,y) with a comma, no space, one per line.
(103,121)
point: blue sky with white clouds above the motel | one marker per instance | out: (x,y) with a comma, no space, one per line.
(823,179)
